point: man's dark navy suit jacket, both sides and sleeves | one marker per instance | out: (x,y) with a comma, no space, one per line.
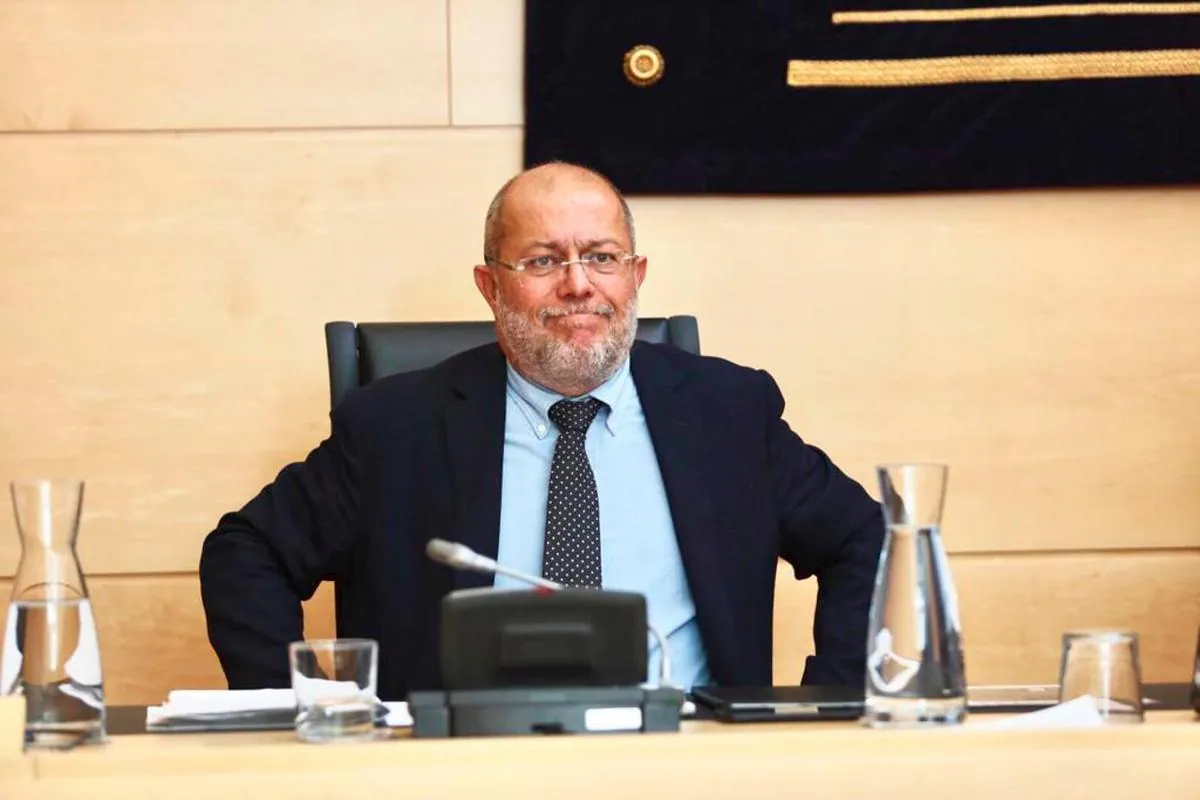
(419,456)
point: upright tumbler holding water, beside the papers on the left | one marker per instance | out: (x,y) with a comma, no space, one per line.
(335,685)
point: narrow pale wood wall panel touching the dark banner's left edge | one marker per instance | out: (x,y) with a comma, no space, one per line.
(487,57)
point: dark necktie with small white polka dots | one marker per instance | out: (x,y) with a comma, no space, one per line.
(572,552)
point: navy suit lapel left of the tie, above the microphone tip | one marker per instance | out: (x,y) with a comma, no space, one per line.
(475,430)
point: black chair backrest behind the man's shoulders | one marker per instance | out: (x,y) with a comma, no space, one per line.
(367,352)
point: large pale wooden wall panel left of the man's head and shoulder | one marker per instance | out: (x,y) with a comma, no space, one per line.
(163,300)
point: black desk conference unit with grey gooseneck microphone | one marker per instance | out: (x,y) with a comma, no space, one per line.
(547,661)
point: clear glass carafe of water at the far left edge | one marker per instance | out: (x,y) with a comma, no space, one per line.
(51,651)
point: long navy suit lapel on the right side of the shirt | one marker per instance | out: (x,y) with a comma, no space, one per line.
(682,444)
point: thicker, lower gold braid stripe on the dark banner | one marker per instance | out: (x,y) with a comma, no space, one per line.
(983,69)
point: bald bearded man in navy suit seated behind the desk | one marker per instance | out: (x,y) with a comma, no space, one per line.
(566,450)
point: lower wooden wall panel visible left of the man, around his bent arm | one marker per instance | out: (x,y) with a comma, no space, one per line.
(153,636)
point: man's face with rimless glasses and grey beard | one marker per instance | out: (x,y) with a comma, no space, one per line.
(572,329)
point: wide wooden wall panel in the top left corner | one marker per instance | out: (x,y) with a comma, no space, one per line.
(97,65)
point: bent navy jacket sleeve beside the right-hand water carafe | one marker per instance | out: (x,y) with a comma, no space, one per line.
(830,528)
